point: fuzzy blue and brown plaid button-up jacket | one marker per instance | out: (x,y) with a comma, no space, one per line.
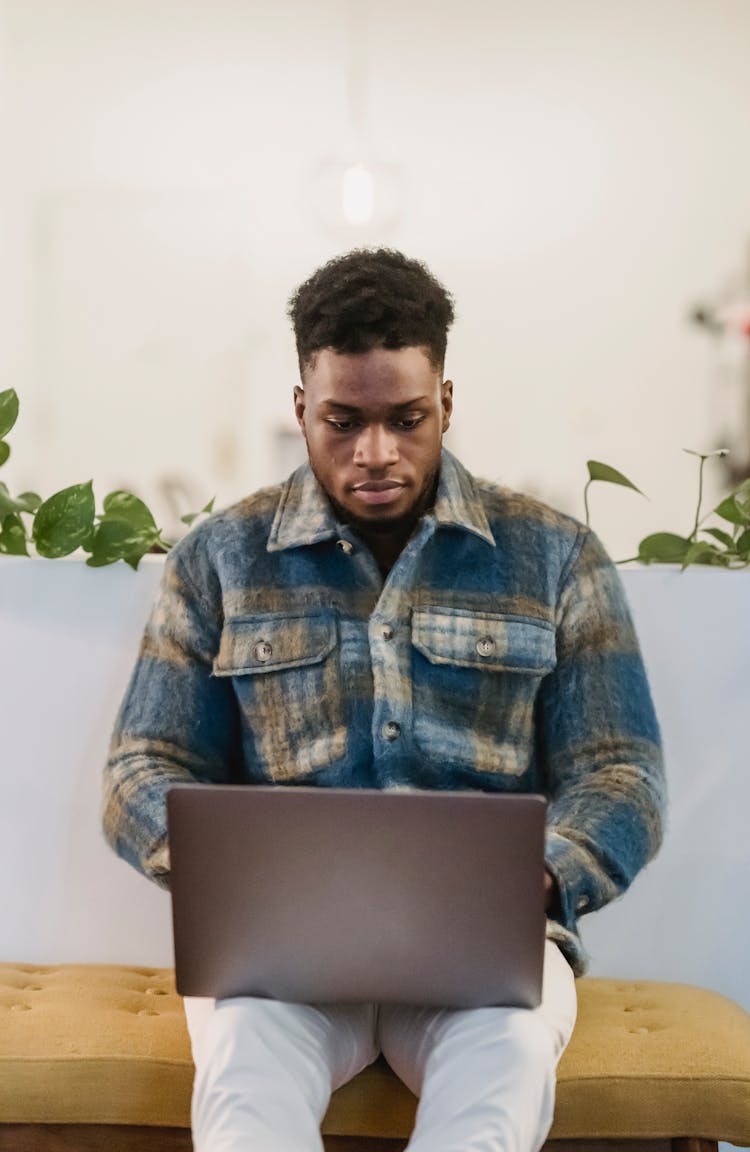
(499,655)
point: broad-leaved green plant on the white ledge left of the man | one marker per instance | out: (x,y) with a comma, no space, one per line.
(125,530)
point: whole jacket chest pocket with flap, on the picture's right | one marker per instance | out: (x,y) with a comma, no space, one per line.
(476,677)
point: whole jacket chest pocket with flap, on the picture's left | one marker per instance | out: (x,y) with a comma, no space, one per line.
(286,677)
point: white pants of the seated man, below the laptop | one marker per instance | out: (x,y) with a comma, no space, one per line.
(486,1078)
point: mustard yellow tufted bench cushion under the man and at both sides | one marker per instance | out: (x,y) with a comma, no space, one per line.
(109,1045)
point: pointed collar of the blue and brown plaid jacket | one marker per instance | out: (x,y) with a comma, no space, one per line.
(305,516)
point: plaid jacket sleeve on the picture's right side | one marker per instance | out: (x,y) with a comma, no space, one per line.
(600,741)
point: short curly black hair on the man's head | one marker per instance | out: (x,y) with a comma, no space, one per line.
(372,299)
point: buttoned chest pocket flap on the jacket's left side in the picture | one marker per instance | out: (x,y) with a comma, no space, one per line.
(268,643)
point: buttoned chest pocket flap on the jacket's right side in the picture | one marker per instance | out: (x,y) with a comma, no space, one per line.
(483,640)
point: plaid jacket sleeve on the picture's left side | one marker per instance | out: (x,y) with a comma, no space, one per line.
(177,724)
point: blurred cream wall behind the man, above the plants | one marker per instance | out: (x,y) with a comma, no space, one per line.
(577,172)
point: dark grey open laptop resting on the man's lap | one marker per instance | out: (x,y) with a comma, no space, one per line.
(322,896)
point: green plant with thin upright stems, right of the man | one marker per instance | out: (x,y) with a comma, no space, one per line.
(725,549)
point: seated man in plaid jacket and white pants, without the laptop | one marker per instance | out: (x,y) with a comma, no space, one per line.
(384,620)
